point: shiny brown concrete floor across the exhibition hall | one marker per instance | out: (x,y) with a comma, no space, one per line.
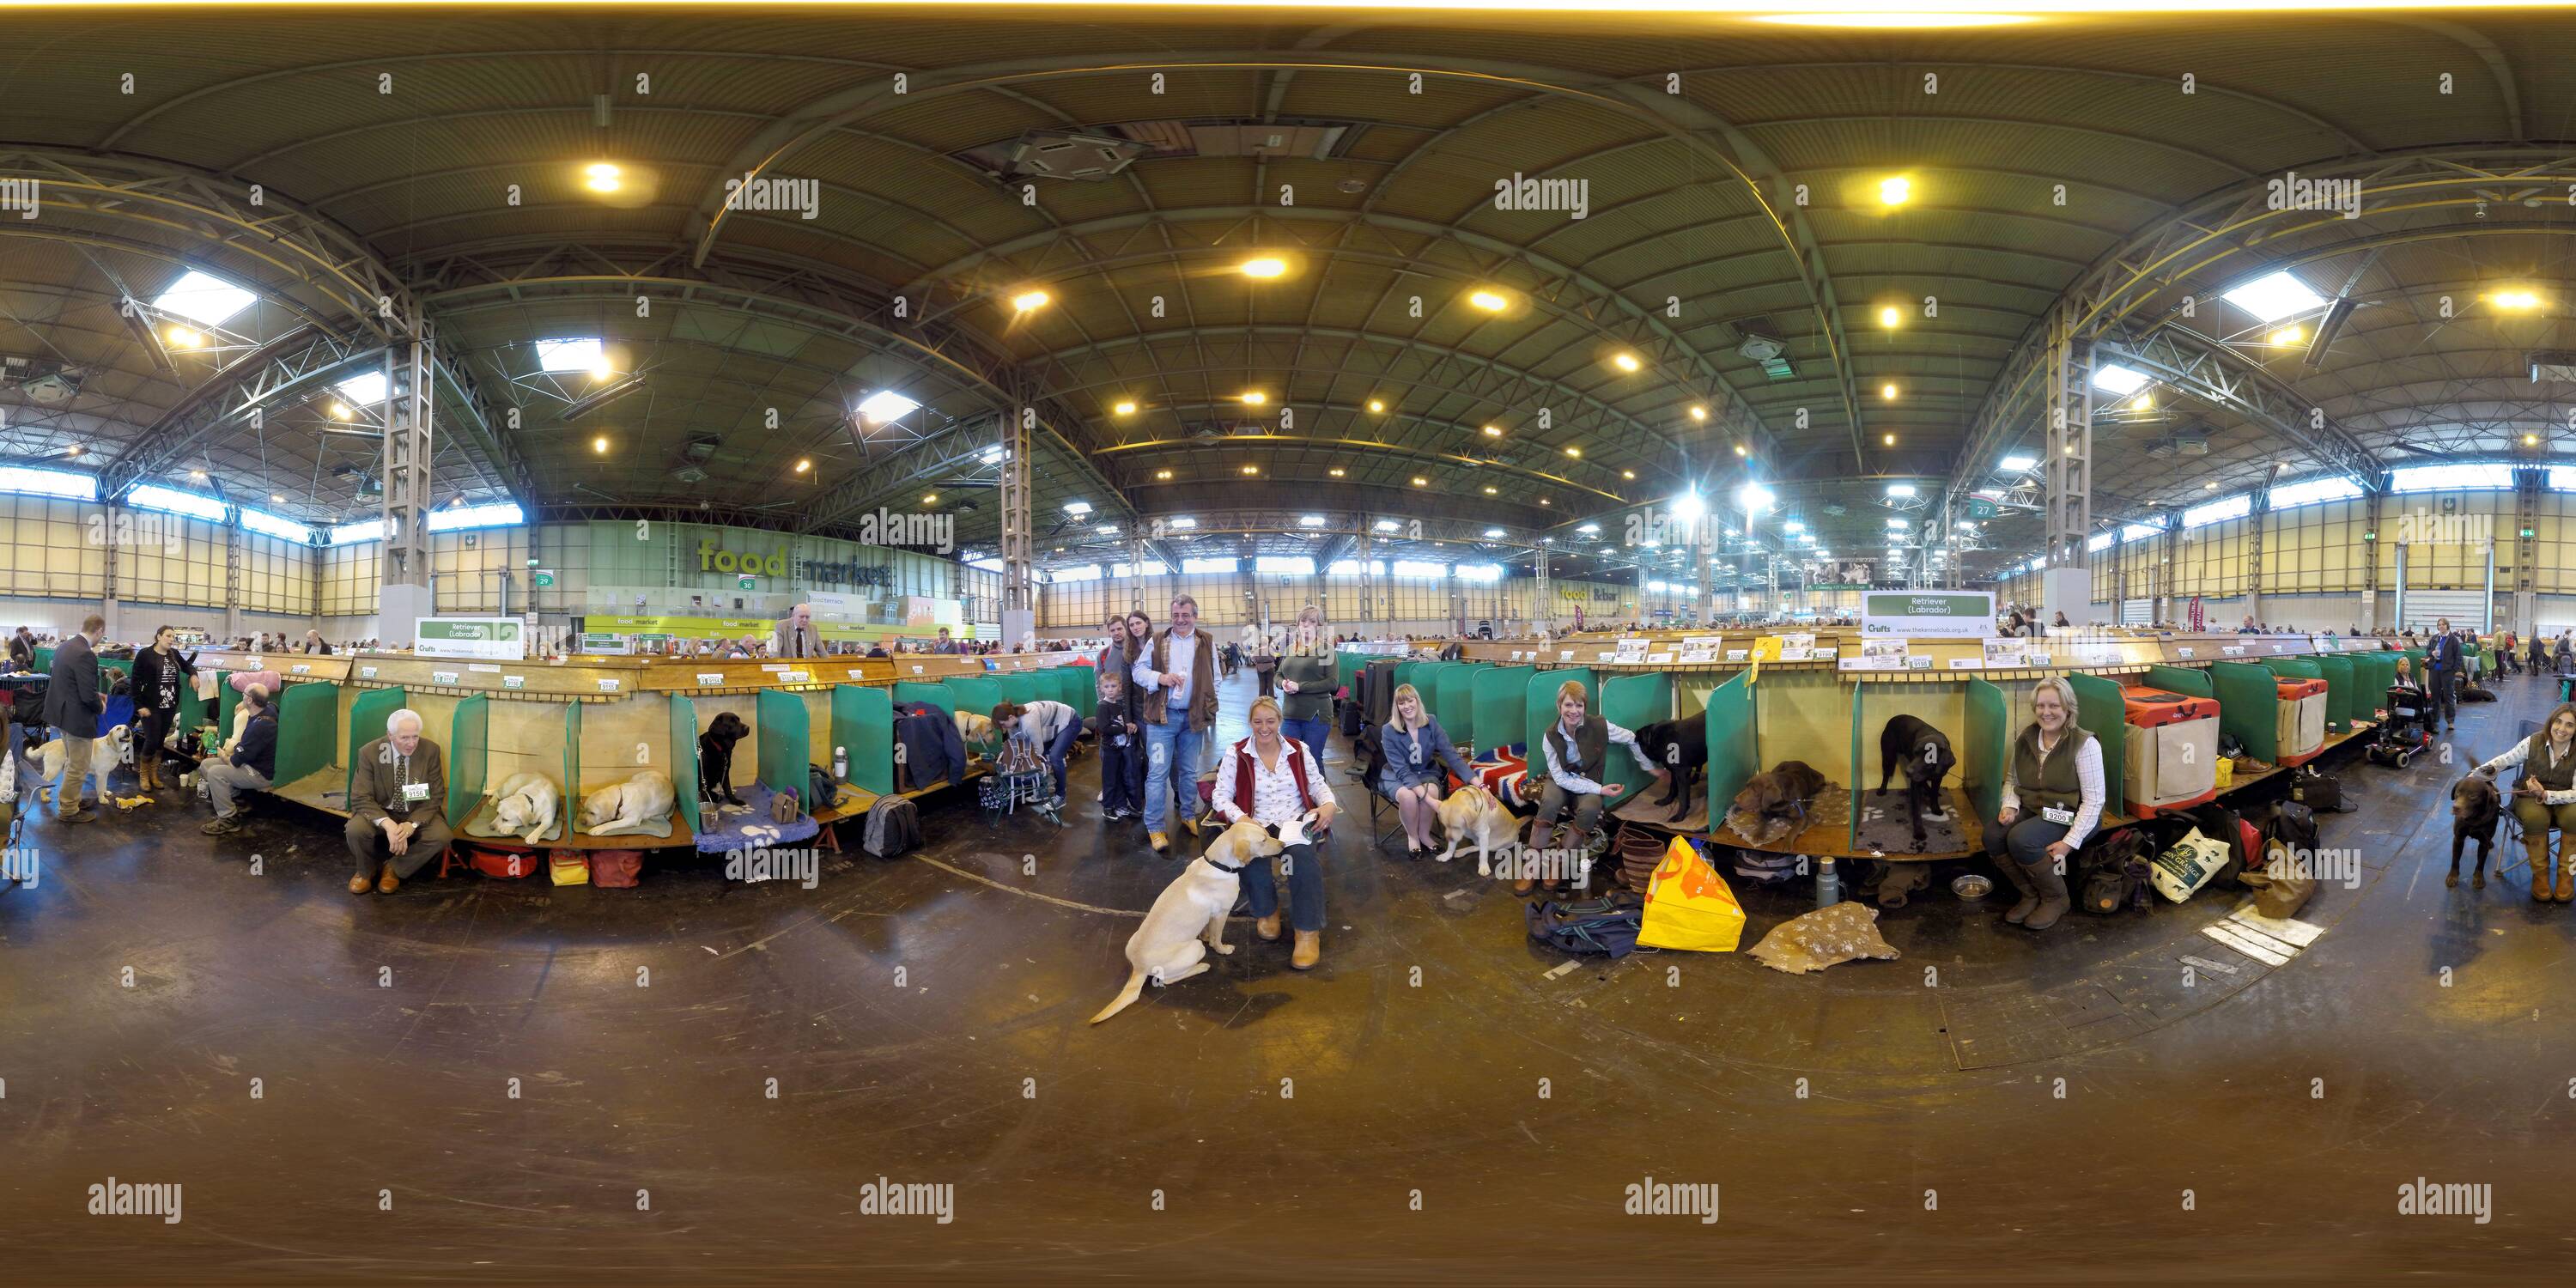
(689,1081)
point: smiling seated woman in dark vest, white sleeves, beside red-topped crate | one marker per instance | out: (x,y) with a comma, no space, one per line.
(2054,774)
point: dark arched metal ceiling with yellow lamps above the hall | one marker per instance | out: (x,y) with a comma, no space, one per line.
(1730,192)
